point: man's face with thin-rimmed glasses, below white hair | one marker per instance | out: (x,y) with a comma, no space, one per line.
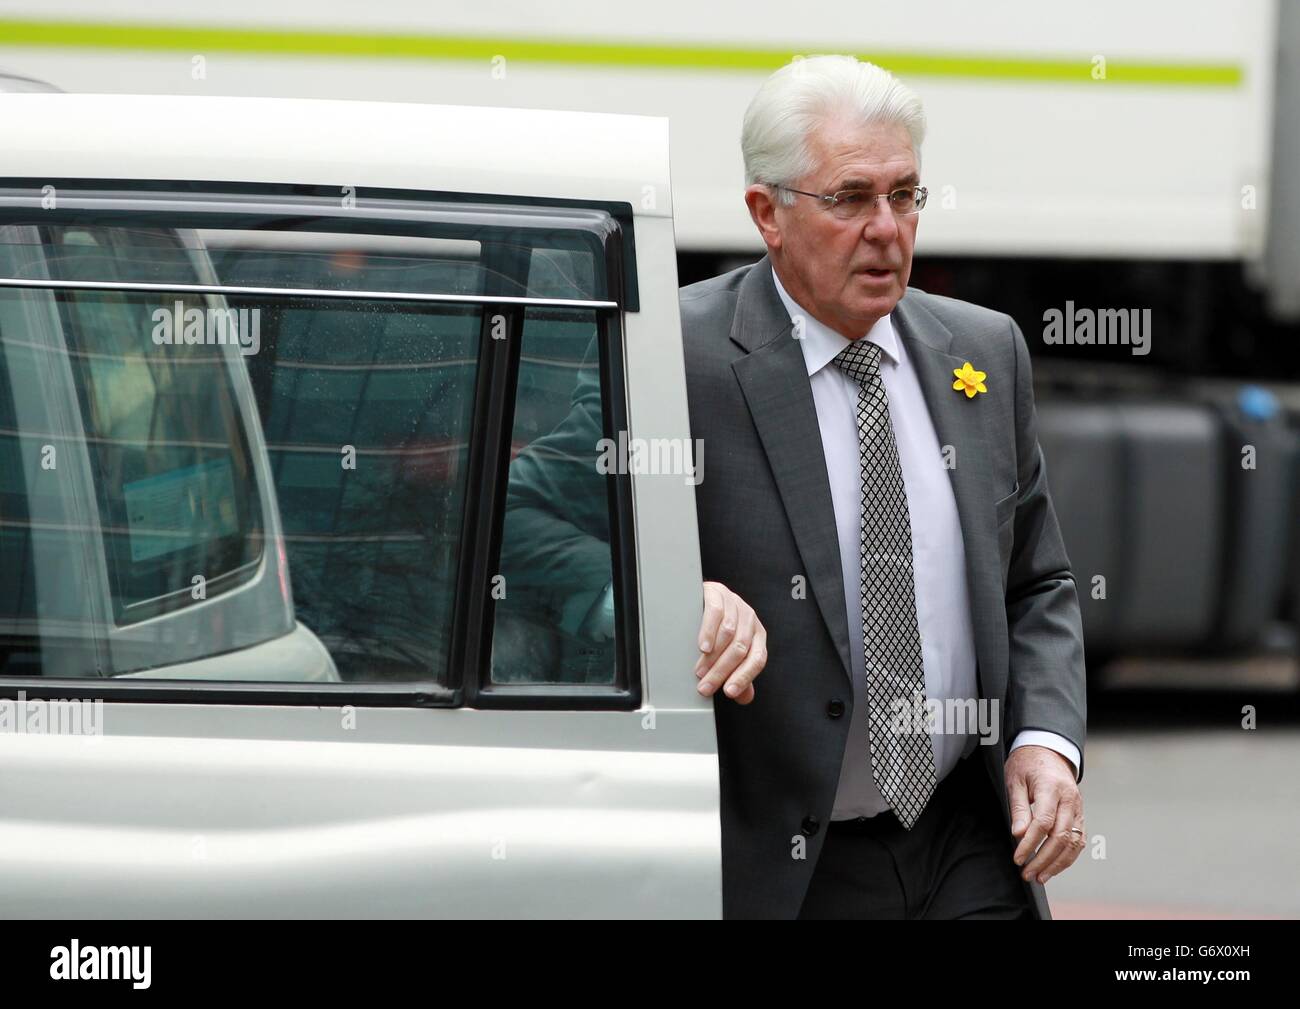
(850,274)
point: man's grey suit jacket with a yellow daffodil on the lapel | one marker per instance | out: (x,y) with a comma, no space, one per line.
(766,517)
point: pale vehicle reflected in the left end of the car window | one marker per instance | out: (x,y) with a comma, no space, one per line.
(132,510)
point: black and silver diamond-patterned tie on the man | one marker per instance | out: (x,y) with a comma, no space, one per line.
(903,764)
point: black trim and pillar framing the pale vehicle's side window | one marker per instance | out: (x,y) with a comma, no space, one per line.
(493,419)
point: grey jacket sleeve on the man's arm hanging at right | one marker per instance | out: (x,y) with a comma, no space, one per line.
(1047,686)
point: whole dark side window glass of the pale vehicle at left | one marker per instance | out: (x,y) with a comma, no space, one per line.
(304,454)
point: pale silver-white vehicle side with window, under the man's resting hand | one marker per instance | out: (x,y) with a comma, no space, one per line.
(276,379)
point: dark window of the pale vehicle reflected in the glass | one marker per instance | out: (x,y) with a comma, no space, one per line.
(172,465)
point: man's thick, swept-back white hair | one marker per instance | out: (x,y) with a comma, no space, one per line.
(808,93)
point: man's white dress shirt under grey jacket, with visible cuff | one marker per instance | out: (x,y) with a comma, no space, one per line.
(938,549)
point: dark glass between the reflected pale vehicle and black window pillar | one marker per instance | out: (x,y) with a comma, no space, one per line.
(367,409)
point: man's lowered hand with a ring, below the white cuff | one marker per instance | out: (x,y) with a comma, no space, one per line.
(1046,804)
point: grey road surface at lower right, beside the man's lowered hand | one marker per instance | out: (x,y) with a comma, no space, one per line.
(1189,815)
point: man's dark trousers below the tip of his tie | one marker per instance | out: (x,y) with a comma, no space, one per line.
(955,863)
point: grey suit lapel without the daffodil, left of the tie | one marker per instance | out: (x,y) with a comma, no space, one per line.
(775,382)
